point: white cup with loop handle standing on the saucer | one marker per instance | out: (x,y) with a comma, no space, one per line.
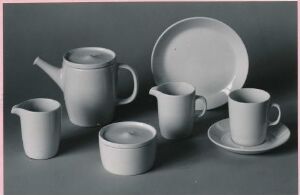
(248,115)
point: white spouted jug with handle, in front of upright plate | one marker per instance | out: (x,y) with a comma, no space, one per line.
(176,108)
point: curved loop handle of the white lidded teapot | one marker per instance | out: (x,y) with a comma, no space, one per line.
(135,85)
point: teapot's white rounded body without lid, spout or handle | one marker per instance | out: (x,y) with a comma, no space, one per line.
(90,94)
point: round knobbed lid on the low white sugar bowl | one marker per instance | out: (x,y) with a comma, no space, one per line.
(127,134)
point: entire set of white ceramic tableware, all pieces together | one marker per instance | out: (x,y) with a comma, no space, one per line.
(198,64)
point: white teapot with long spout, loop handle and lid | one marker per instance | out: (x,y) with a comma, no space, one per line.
(88,79)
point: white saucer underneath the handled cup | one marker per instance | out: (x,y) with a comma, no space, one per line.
(219,134)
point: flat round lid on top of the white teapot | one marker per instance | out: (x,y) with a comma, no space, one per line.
(90,57)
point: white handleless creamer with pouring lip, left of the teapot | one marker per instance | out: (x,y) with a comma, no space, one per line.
(40,126)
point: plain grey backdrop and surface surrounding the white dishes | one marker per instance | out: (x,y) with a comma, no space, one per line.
(190,166)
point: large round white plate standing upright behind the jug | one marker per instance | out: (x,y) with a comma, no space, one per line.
(203,52)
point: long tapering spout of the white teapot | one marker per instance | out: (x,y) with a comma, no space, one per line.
(52,71)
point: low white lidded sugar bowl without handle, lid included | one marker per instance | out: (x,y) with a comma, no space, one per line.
(127,148)
